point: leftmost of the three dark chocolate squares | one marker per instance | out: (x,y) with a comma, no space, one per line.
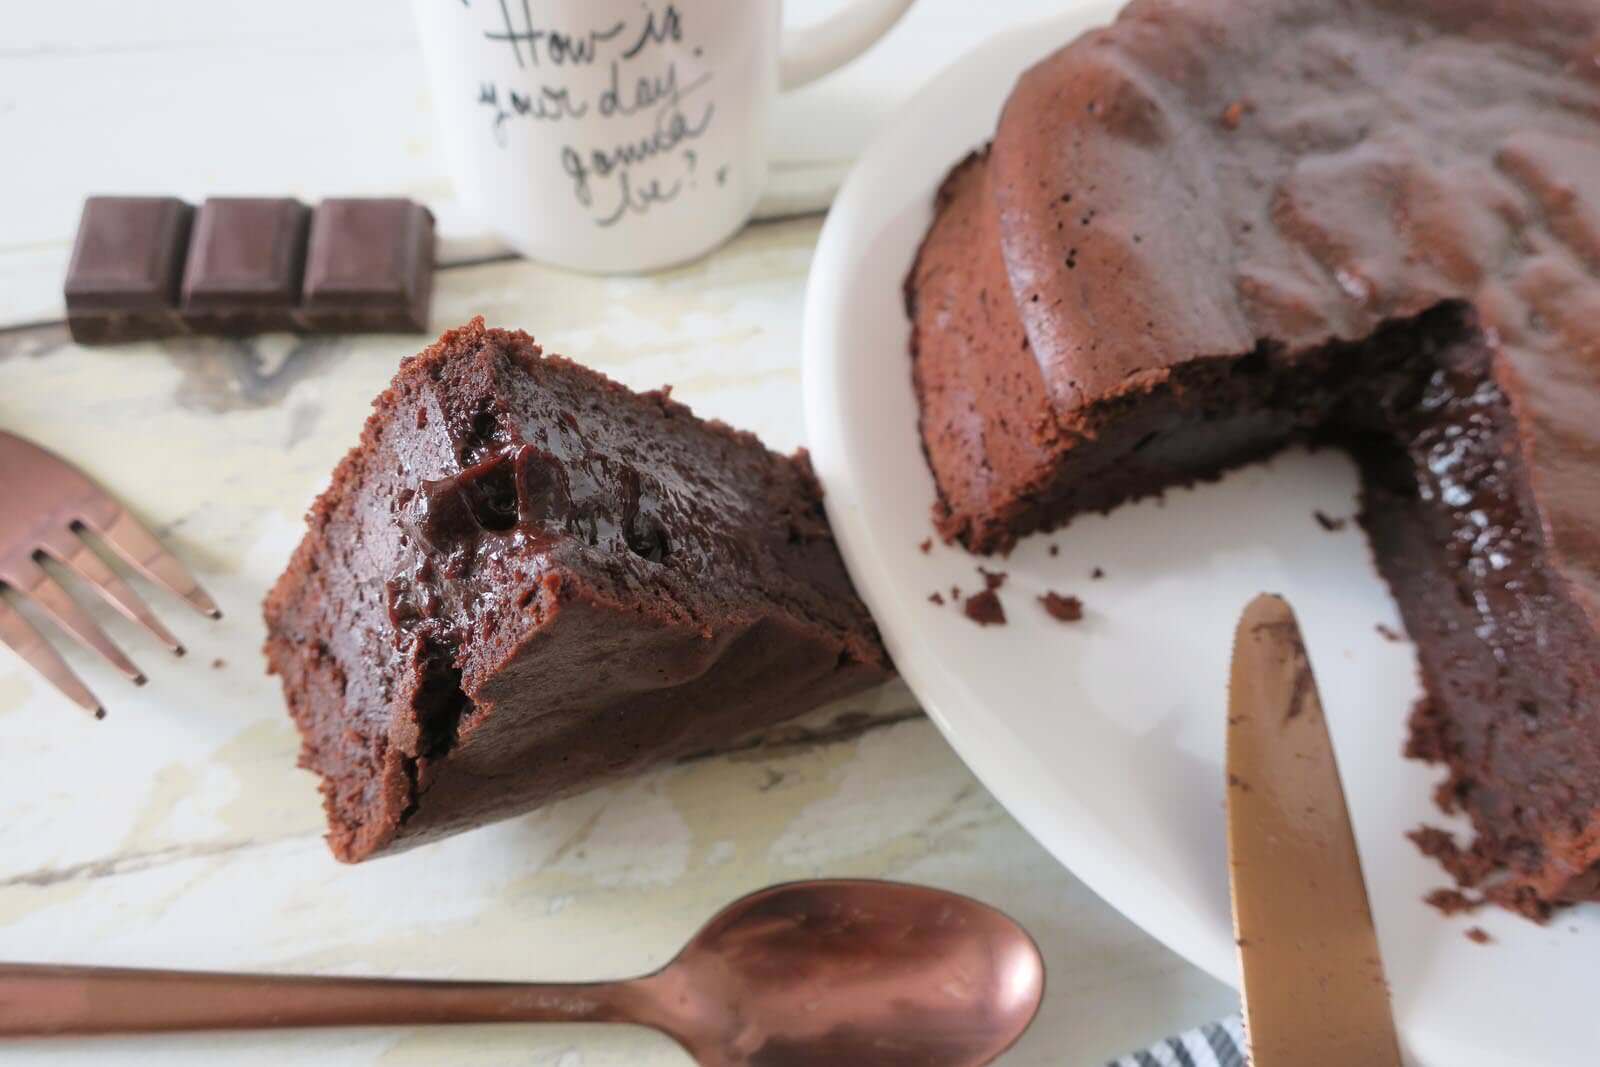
(122,282)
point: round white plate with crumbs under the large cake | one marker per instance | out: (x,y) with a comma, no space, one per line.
(1105,738)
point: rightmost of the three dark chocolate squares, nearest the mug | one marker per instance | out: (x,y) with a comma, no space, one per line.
(370,266)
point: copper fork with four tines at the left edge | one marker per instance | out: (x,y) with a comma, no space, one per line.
(46,506)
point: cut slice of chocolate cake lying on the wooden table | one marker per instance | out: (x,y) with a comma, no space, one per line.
(527,580)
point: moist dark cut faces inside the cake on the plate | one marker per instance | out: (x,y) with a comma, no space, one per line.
(1449,510)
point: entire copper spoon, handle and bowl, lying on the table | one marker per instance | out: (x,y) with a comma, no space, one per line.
(798,975)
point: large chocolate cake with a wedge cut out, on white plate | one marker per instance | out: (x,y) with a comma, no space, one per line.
(1222,226)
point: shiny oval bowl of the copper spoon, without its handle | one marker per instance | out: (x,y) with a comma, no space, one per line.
(852,973)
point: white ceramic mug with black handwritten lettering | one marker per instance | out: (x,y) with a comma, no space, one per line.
(620,135)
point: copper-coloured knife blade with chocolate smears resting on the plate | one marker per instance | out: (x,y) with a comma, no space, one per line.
(1314,983)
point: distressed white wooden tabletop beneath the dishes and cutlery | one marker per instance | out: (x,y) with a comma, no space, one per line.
(178,833)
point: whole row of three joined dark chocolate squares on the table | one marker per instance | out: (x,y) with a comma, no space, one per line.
(153,268)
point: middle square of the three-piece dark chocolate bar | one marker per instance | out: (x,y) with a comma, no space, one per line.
(246,262)
